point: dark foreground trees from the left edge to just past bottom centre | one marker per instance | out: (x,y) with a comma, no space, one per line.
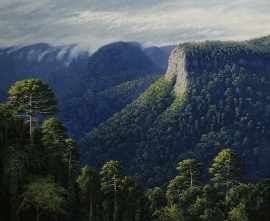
(40,175)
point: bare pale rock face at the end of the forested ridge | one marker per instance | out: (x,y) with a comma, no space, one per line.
(177,70)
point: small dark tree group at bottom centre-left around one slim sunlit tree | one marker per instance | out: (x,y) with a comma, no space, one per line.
(110,196)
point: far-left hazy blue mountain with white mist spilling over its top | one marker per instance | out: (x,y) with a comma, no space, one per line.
(49,63)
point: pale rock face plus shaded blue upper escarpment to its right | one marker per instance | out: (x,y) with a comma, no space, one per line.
(188,62)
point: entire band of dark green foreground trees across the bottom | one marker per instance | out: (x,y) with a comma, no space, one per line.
(41,177)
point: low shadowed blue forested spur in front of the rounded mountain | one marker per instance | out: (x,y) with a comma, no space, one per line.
(96,106)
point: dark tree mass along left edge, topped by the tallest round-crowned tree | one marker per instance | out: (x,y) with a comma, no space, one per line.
(38,161)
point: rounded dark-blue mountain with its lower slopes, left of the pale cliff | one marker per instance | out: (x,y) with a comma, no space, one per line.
(118,66)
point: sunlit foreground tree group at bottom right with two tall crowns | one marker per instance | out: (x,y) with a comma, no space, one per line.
(225,197)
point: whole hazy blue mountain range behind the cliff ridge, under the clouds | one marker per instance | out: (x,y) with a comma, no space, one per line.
(90,88)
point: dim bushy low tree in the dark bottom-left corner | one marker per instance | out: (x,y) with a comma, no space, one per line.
(44,196)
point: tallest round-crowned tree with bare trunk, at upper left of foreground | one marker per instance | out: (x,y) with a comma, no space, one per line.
(32,98)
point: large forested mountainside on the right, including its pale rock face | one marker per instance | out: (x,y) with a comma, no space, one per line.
(215,94)
